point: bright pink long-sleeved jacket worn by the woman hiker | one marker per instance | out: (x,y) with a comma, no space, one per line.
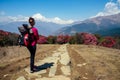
(34,36)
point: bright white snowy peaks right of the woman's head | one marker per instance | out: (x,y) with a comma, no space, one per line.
(56,20)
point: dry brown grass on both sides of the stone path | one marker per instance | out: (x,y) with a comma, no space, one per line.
(87,62)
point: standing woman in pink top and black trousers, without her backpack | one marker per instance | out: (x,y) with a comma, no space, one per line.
(32,47)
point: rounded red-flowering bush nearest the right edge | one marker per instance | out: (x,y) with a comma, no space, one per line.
(108,42)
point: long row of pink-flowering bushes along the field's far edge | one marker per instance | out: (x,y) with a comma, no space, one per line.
(7,38)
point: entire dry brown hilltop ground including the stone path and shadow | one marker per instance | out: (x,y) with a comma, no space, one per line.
(61,62)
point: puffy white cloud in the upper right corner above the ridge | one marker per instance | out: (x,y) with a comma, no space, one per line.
(110,9)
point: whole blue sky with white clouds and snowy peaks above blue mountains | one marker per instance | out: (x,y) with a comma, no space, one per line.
(57,11)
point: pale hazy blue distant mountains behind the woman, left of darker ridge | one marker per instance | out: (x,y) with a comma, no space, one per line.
(44,28)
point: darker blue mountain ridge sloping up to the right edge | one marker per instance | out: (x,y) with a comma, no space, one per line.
(103,25)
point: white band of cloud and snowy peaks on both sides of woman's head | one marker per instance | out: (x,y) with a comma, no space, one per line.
(37,16)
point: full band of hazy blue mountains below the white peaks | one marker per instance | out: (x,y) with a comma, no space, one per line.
(103,25)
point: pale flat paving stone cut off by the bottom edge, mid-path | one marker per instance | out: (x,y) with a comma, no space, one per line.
(60,77)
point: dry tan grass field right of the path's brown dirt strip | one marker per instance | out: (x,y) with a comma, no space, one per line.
(103,62)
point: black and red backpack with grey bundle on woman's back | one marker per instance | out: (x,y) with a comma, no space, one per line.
(24,37)
